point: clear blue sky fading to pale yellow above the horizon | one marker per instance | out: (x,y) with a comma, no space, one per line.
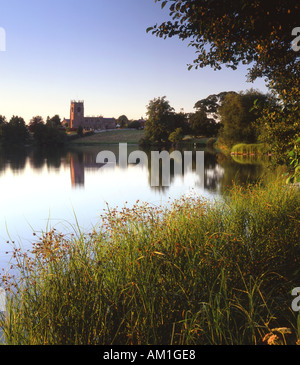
(98,51)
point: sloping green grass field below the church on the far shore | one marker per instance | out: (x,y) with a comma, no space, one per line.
(111,137)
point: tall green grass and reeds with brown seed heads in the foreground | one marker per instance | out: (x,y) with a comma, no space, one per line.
(194,273)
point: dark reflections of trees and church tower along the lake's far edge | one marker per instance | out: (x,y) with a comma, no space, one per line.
(220,172)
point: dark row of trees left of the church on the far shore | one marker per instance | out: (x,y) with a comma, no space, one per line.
(16,132)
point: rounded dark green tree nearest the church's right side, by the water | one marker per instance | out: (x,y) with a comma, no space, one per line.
(160,120)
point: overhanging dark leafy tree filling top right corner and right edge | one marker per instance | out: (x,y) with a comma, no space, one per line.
(254,32)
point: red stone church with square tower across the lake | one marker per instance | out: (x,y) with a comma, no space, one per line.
(78,119)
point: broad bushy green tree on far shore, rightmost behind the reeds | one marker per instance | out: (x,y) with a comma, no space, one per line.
(238,117)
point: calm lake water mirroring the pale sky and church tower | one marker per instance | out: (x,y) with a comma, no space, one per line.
(58,188)
